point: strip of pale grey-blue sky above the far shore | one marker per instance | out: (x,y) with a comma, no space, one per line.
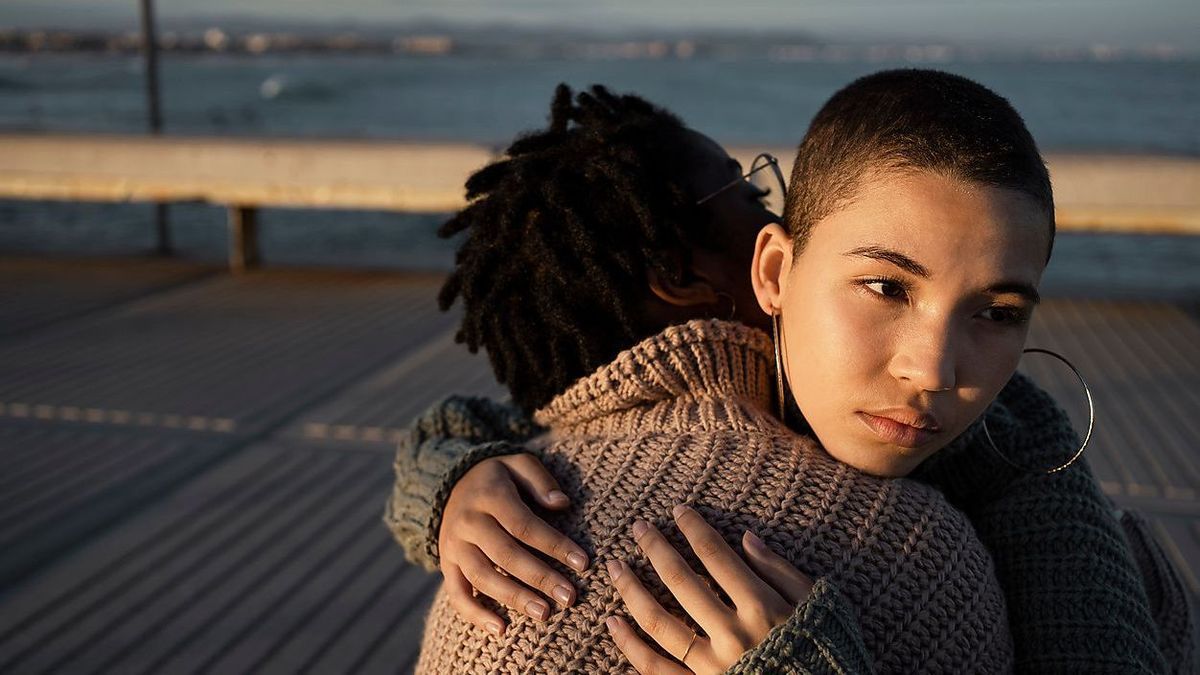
(993,22)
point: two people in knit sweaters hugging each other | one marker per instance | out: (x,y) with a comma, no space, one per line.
(743,443)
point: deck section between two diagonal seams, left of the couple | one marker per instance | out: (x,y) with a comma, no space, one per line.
(223,356)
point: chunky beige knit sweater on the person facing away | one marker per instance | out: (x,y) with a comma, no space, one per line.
(682,419)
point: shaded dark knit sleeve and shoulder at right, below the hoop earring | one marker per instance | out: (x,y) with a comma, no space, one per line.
(1076,595)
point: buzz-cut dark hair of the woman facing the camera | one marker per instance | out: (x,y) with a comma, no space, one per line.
(905,121)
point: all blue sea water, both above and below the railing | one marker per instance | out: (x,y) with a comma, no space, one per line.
(1123,107)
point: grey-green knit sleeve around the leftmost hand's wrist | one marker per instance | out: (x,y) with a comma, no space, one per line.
(436,451)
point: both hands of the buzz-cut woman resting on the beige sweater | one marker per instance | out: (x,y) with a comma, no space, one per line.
(488,541)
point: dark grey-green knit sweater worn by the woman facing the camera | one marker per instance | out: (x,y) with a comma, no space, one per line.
(1069,611)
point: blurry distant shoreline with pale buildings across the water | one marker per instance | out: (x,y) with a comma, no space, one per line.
(795,46)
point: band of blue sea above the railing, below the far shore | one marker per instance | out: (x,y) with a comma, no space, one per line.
(1125,106)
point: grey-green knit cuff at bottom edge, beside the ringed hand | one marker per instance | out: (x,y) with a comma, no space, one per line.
(821,637)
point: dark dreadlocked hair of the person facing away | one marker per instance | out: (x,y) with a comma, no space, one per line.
(560,236)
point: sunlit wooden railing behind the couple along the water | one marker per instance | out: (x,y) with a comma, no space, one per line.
(1103,193)
